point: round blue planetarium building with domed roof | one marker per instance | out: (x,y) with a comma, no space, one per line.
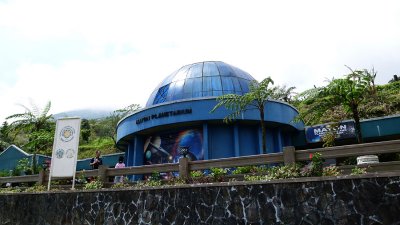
(177,114)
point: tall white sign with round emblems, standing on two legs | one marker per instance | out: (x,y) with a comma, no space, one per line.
(65,149)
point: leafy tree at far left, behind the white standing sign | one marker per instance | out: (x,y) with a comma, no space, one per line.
(37,125)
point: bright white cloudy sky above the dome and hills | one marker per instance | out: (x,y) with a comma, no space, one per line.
(111,54)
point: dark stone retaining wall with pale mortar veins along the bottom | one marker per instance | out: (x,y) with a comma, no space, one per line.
(359,200)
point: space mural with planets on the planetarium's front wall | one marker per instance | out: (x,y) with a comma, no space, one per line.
(164,147)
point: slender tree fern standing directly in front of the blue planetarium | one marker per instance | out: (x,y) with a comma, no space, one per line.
(256,98)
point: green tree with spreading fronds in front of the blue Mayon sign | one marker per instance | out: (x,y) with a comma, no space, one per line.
(347,93)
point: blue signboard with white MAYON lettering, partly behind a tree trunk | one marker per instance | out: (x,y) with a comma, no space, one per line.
(316,133)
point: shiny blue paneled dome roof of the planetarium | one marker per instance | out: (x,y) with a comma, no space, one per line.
(201,80)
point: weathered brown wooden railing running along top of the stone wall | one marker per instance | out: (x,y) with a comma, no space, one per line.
(289,155)
